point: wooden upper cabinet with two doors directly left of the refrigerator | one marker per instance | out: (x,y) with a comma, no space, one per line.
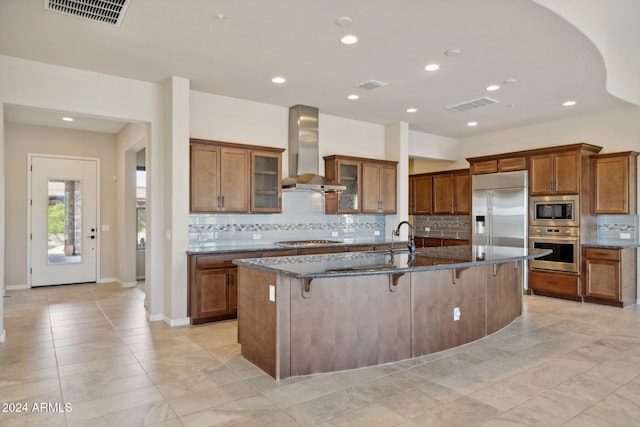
(452,192)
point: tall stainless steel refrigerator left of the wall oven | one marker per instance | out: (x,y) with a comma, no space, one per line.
(500,209)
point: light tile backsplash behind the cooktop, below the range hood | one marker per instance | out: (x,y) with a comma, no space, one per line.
(302,217)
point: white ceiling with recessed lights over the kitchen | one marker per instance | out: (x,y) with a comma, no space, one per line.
(299,39)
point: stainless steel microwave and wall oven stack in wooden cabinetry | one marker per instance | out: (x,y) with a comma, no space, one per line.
(554,224)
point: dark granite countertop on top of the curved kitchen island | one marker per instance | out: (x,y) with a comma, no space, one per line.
(384,262)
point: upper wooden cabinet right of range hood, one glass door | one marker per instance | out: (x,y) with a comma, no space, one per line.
(371,184)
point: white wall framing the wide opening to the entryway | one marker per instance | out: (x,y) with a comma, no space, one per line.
(40,85)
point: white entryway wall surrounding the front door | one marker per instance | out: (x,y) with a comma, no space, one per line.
(22,139)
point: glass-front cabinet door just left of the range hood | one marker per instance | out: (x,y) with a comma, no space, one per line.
(266,185)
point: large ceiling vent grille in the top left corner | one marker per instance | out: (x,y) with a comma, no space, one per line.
(107,11)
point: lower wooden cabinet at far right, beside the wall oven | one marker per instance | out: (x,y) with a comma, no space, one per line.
(609,276)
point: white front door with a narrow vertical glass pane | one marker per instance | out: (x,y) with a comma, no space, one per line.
(64,234)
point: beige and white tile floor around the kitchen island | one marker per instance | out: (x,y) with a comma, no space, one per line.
(90,347)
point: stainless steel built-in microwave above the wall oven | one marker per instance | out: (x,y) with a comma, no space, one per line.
(554,211)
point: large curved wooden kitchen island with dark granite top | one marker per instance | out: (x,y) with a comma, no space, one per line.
(308,314)
